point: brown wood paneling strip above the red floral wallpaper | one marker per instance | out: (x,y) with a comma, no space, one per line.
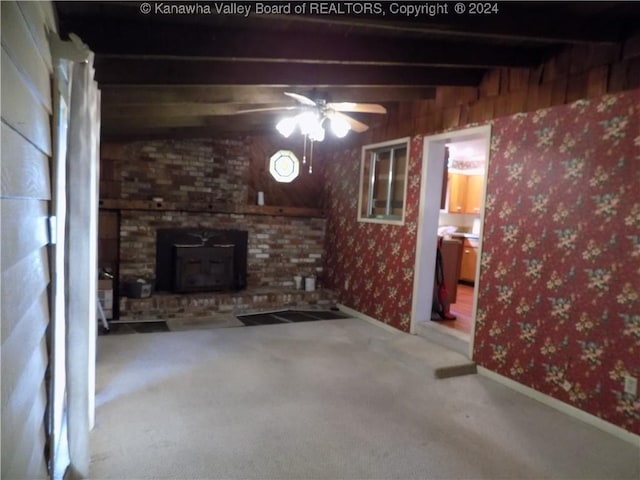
(579,72)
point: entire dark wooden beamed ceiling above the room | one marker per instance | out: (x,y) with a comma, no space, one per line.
(171,74)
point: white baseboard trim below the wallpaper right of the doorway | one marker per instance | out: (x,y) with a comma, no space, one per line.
(565,408)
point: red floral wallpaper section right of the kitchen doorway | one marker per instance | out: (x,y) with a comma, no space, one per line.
(559,292)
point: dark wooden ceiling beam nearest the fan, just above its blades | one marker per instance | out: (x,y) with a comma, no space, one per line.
(188,72)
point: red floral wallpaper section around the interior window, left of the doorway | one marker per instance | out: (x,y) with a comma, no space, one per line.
(370,265)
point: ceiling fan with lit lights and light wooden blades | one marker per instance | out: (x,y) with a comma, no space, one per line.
(314,113)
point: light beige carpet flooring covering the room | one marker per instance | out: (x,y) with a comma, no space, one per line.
(324,400)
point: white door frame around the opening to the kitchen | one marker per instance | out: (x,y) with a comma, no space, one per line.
(433,158)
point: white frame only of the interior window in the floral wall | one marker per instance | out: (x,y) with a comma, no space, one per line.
(366,159)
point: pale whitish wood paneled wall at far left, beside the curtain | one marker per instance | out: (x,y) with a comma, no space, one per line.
(24,205)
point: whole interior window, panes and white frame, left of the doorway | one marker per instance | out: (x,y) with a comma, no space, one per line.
(383,182)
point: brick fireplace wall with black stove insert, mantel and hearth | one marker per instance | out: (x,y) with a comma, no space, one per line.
(199,187)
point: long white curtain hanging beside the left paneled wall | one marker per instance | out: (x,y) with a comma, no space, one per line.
(81,255)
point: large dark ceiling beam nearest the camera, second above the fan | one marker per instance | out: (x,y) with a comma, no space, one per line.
(242,44)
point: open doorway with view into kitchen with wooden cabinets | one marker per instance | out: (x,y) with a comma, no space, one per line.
(445,212)
